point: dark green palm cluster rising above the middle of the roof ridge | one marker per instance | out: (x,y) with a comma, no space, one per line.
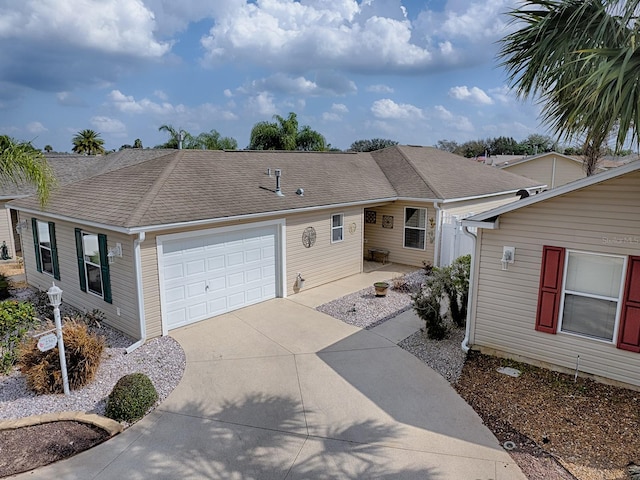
(283,134)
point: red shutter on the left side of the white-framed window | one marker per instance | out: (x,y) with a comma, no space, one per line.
(550,289)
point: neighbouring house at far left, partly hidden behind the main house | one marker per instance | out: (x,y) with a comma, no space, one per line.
(67,168)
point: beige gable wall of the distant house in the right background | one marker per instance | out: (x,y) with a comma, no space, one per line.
(552,170)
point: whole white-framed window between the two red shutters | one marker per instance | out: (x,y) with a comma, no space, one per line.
(592,295)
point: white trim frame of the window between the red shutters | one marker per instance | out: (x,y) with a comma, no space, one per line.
(618,300)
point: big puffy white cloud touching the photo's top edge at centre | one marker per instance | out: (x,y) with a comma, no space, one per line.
(314,35)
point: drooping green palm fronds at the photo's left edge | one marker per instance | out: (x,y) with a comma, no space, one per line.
(20,163)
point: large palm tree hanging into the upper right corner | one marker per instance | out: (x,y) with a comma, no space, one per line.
(582,59)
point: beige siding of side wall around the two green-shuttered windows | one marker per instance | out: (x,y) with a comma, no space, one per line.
(123,312)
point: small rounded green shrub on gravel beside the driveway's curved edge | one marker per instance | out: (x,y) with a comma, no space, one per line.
(132,396)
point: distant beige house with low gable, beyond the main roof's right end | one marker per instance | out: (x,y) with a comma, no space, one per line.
(553,169)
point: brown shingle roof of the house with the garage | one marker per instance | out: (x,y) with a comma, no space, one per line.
(177,186)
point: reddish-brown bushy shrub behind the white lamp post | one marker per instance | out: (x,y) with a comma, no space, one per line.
(83,351)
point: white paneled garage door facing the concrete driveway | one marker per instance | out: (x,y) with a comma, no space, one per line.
(212,274)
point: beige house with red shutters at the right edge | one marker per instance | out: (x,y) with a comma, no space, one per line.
(569,295)
